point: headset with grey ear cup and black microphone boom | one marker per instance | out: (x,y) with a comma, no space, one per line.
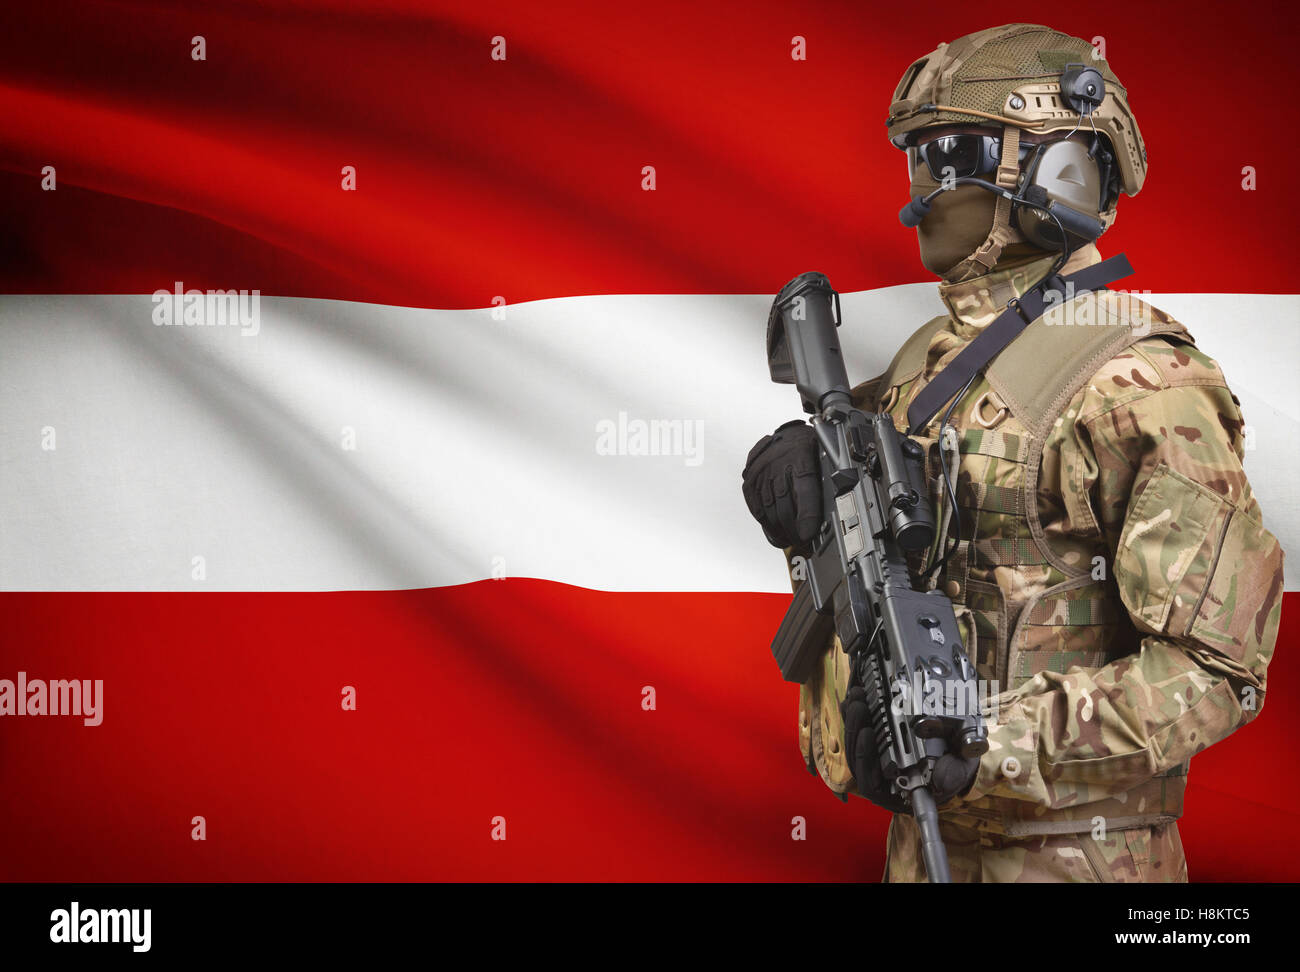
(1064,188)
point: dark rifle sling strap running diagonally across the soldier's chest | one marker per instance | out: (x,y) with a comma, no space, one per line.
(1017,316)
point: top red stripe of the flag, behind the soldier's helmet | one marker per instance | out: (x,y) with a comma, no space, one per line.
(522,179)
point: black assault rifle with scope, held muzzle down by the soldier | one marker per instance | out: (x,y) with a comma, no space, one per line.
(904,644)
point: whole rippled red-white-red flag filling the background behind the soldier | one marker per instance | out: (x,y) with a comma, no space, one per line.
(419,476)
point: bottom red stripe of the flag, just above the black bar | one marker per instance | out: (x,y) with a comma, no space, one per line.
(521,700)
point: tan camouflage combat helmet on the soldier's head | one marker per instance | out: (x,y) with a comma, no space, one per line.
(1012,76)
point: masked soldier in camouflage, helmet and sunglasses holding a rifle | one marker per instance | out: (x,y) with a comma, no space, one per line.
(1108,559)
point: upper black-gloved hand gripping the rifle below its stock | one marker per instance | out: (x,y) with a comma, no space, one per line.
(783,485)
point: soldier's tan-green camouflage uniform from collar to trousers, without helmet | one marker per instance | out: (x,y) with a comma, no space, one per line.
(1116,583)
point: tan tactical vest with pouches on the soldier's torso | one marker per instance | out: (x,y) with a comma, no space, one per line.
(1032,602)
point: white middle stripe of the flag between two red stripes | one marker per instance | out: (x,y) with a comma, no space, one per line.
(129,450)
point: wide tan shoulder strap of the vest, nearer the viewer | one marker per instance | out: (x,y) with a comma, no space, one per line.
(1039,372)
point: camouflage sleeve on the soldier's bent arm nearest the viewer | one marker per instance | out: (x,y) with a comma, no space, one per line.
(1160,474)
